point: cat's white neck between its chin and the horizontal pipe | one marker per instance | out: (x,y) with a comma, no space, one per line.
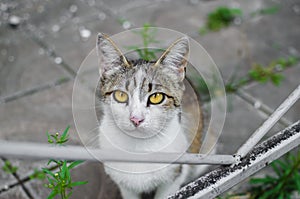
(171,139)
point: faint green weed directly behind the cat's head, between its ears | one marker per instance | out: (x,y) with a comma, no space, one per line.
(148,34)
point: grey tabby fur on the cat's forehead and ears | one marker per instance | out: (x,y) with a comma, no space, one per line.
(165,75)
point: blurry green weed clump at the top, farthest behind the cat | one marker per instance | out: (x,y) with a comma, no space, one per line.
(220,18)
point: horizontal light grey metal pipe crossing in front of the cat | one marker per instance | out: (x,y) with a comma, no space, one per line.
(25,150)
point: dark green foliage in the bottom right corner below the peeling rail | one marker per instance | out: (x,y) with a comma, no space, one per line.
(286,181)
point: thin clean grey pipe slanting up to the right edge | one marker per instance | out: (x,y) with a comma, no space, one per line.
(269,123)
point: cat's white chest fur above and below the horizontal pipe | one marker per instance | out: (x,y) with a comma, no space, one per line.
(136,176)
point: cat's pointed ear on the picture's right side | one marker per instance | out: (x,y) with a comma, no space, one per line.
(175,57)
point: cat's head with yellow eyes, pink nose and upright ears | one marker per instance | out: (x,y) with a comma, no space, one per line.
(141,97)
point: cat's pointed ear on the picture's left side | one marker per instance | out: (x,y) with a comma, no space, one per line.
(110,57)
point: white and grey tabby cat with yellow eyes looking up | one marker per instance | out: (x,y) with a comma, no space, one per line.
(140,110)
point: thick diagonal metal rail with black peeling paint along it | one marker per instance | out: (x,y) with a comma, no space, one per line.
(221,179)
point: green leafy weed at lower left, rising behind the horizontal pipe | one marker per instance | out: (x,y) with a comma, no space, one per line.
(60,182)
